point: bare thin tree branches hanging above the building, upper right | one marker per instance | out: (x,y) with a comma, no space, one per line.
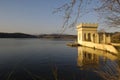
(75,9)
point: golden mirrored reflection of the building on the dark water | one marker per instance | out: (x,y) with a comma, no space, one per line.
(89,56)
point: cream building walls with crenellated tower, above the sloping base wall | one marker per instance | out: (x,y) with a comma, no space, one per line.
(88,32)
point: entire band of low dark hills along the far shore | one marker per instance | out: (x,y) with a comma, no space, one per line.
(46,36)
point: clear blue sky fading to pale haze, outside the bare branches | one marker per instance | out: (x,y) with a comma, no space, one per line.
(34,16)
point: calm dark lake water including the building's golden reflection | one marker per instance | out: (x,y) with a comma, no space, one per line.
(35,59)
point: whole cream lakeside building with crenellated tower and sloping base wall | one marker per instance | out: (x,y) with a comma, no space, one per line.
(89,36)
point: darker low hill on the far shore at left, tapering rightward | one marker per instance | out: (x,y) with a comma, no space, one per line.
(16,35)
